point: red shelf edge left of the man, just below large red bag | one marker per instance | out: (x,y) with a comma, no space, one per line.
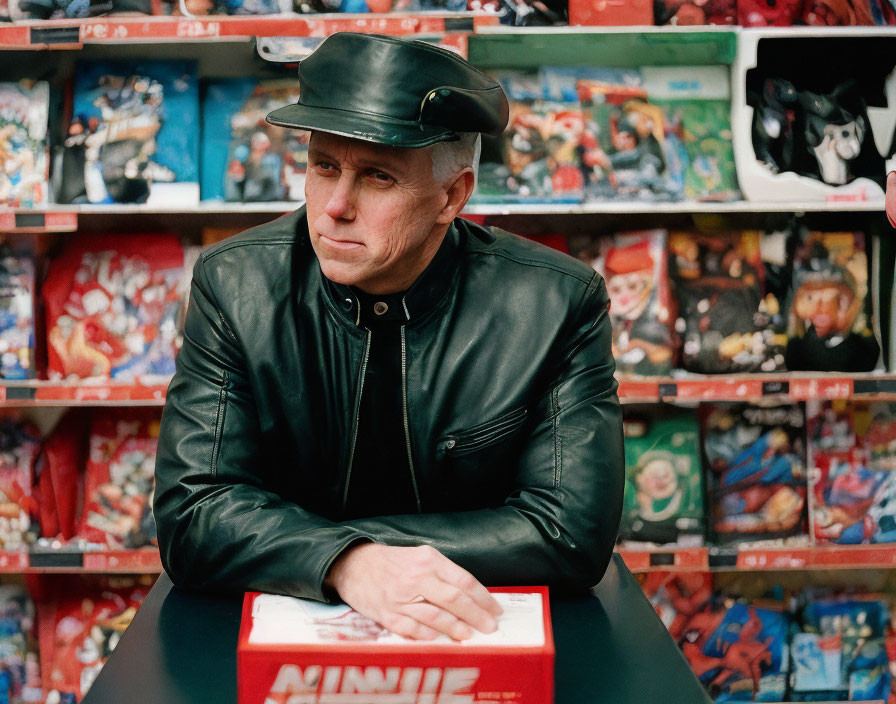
(43,393)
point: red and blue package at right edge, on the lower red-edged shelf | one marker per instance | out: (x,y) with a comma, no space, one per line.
(853,480)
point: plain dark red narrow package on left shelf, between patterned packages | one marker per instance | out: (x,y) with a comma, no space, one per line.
(58,476)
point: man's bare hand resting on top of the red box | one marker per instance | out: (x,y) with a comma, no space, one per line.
(414,592)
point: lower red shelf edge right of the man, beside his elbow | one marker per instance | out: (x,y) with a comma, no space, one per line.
(771,559)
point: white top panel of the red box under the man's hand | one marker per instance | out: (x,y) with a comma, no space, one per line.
(283,620)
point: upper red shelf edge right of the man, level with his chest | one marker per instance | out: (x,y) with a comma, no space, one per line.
(793,386)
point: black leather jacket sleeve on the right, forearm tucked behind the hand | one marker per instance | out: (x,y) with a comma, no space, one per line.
(559,522)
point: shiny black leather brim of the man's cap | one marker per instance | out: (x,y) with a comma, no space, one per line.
(370,128)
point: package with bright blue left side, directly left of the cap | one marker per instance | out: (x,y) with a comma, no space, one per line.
(253,161)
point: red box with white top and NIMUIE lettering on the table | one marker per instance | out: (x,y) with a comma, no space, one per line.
(347,664)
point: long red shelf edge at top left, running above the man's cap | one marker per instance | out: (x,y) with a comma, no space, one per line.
(68,34)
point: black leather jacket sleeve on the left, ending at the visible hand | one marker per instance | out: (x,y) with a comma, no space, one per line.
(218,527)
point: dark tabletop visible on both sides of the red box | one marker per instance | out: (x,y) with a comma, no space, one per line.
(611,648)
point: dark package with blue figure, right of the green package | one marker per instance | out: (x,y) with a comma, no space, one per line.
(756,471)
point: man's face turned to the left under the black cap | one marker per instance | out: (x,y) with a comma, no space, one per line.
(374,212)
